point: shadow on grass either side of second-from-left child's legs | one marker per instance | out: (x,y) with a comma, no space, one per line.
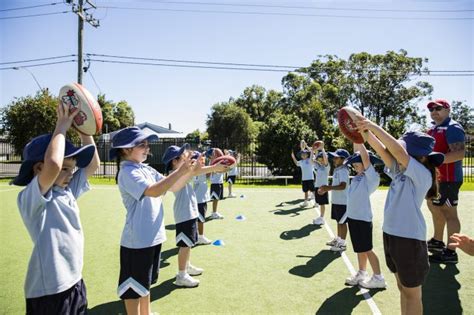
(117,307)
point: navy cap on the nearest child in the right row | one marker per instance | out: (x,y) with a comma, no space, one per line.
(420,144)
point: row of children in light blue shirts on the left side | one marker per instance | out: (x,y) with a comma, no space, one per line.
(48,207)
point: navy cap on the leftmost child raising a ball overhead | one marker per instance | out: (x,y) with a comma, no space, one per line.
(35,150)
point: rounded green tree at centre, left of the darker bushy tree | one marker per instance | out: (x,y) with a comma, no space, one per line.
(230,126)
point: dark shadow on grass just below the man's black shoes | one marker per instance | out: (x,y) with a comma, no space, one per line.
(440,291)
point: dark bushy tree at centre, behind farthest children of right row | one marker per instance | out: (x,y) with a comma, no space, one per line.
(278,138)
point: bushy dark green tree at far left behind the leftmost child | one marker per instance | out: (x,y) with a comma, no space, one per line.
(30,116)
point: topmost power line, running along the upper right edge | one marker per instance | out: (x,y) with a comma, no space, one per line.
(306,7)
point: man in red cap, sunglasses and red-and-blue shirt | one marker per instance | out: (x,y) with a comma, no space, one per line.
(449,136)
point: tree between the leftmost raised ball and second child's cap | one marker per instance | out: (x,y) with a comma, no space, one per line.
(115,115)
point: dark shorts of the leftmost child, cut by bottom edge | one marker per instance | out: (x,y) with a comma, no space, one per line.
(71,301)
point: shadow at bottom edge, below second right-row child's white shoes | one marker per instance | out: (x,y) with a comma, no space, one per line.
(343,301)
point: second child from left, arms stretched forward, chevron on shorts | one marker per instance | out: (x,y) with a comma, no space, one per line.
(141,188)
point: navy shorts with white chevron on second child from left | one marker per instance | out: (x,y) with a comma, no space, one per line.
(139,268)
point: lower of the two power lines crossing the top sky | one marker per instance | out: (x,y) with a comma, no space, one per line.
(287,14)
